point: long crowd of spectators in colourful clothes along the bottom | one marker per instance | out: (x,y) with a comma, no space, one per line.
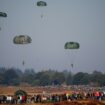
(80,94)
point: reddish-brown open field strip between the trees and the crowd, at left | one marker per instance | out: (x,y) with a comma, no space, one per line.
(10,90)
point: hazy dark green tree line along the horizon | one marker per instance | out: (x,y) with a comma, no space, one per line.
(13,76)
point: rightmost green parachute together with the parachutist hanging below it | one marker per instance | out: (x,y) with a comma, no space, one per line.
(72,46)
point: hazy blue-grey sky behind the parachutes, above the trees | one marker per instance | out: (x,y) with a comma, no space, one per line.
(81,21)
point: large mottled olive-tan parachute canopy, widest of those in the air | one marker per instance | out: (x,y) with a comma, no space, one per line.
(22,39)
